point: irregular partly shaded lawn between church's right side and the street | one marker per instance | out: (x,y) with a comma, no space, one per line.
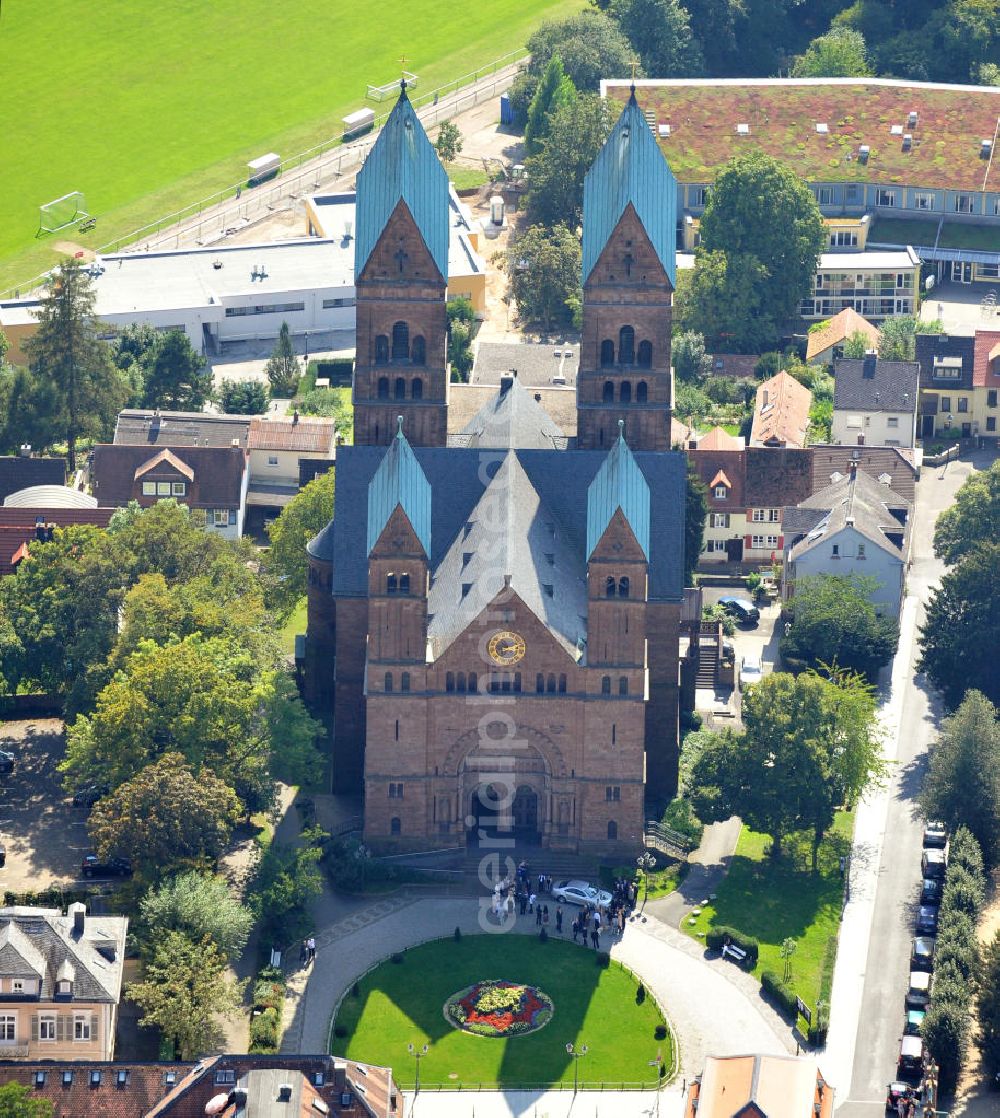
(772,902)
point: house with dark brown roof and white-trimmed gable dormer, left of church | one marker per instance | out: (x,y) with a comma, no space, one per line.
(212,479)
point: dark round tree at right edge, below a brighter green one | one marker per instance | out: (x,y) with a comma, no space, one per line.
(963,620)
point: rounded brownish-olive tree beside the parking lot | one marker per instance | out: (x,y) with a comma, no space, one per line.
(166,816)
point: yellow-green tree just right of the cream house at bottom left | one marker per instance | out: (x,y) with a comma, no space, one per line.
(184,991)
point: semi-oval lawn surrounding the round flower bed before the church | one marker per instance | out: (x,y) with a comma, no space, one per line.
(401,1005)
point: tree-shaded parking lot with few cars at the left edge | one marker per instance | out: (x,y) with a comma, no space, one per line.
(44,835)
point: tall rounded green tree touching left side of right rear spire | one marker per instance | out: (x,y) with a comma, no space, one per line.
(556,175)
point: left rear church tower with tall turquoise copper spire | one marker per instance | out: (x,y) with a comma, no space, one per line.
(401,276)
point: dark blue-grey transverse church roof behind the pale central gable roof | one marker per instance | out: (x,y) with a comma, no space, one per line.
(561,480)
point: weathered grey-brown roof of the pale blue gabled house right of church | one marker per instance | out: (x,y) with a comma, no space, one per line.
(870,506)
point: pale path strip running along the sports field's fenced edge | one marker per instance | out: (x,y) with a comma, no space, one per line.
(201,228)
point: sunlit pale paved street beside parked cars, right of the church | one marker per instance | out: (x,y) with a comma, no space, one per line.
(886,968)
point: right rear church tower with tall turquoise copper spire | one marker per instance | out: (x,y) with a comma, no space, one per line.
(629,276)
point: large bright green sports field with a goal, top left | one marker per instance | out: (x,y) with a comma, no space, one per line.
(147,107)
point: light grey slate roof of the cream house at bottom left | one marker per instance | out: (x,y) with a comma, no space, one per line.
(42,943)
